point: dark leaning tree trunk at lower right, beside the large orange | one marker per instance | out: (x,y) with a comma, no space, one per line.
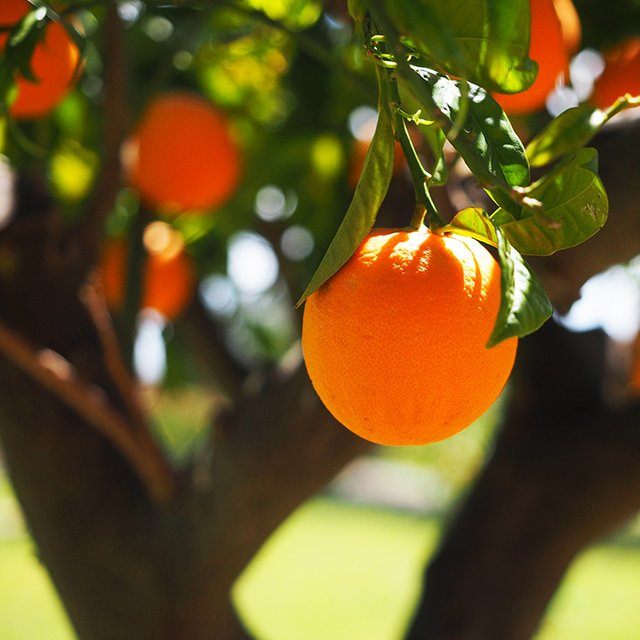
(564,472)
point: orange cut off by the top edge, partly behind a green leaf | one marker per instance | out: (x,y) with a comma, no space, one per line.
(555,34)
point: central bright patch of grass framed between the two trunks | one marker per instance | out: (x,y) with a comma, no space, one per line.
(336,571)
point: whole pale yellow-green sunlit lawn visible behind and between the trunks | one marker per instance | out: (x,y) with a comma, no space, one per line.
(336,571)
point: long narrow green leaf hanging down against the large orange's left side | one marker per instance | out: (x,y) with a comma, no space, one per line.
(362,212)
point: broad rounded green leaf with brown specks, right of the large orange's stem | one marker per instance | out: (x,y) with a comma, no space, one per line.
(574,207)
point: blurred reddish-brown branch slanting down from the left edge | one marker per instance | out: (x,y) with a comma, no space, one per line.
(57,375)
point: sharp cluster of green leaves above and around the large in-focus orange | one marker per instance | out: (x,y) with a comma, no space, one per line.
(442,62)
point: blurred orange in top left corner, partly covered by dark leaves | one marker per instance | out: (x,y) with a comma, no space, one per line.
(54,63)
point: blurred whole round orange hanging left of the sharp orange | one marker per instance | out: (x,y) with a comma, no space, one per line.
(182,156)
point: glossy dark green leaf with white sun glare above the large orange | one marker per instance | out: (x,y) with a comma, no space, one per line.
(483,136)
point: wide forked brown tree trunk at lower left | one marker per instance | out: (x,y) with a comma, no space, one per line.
(137,549)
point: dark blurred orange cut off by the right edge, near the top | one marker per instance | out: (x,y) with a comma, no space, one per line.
(621,74)
